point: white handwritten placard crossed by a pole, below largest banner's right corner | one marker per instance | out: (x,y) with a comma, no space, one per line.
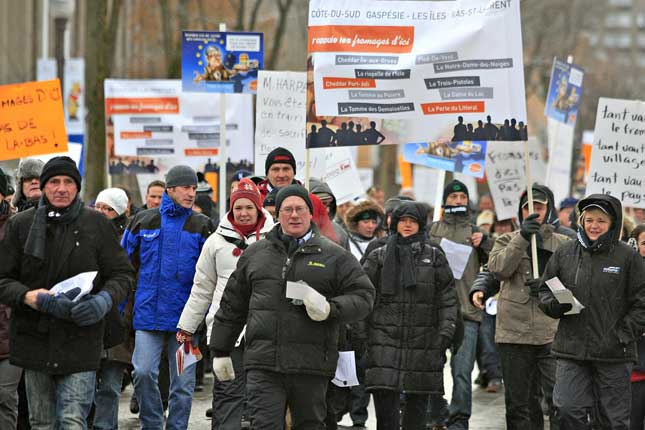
(506,174)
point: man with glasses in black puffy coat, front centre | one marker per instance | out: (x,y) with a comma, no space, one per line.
(291,345)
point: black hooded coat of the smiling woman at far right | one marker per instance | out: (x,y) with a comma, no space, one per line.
(610,284)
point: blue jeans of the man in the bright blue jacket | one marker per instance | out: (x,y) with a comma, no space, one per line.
(147,352)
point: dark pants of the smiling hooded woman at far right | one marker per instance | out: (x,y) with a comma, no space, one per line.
(591,393)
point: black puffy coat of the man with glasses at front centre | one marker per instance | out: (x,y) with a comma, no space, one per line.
(280,336)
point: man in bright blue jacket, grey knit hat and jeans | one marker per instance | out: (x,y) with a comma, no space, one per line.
(164,244)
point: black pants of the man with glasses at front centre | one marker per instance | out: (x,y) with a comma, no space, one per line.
(269,393)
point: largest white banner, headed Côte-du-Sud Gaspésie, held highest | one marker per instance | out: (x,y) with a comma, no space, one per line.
(422,64)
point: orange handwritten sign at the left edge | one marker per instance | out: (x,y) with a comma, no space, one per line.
(32,120)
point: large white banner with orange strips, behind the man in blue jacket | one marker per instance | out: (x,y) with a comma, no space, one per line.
(152,125)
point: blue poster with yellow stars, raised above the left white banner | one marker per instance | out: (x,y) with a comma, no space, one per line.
(221,62)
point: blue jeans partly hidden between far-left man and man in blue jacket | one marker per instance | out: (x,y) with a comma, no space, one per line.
(106,399)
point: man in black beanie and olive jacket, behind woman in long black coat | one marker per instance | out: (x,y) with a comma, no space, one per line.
(455,226)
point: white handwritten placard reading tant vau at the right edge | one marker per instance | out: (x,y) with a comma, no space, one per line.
(618,154)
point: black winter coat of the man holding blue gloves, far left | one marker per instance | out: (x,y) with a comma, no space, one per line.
(38,340)
